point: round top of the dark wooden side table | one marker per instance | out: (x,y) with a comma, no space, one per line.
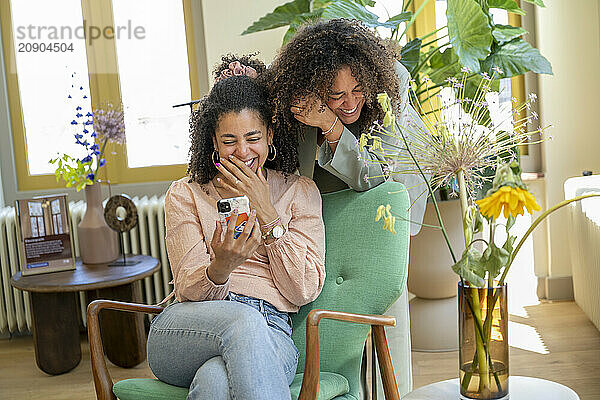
(87,276)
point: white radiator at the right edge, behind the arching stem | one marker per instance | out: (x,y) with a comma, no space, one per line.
(584,234)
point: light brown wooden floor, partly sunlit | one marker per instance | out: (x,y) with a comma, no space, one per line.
(553,340)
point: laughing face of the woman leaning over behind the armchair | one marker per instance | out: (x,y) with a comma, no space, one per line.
(346,98)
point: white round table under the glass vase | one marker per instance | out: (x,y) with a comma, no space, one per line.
(519,388)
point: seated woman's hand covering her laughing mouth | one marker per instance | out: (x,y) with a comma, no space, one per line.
(240,179)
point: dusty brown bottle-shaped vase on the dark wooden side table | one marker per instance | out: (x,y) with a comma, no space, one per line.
(98,243)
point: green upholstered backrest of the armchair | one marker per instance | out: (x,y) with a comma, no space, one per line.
(366,272)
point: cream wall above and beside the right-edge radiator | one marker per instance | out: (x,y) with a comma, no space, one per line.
(568,34)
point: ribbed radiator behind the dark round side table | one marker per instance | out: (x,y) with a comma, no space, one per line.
(146,238)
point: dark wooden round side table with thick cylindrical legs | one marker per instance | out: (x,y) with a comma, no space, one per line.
(54,312)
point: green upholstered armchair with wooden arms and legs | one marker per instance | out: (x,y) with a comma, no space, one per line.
(366,273)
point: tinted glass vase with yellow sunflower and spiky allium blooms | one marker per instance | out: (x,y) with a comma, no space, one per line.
(470,145)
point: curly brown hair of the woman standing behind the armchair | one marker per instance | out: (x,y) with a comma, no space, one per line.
(310,61)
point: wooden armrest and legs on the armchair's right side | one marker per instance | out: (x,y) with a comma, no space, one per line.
(312,370)
